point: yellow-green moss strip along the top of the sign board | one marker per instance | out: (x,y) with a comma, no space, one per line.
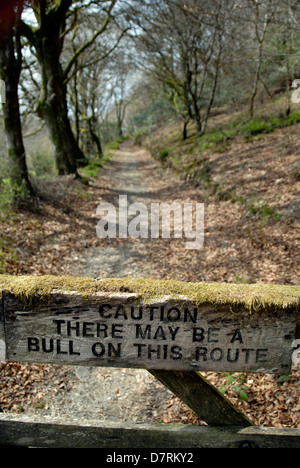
(252,297)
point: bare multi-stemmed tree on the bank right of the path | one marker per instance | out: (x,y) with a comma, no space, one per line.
(181,44)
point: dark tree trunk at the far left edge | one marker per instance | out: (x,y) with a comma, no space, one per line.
(10,69)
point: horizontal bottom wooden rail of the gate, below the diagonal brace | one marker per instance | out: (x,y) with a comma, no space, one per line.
(23,431)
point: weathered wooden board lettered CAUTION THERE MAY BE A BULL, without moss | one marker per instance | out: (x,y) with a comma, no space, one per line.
(121,330)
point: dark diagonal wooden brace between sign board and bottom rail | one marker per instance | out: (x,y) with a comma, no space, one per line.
(204,399)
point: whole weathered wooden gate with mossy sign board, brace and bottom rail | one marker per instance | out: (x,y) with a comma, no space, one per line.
(172,329)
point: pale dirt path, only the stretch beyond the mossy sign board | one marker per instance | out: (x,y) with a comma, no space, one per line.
(128,175)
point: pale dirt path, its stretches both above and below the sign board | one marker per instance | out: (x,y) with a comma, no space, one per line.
(115,394)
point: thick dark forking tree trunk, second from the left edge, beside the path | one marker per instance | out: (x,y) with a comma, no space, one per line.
(48,41)
